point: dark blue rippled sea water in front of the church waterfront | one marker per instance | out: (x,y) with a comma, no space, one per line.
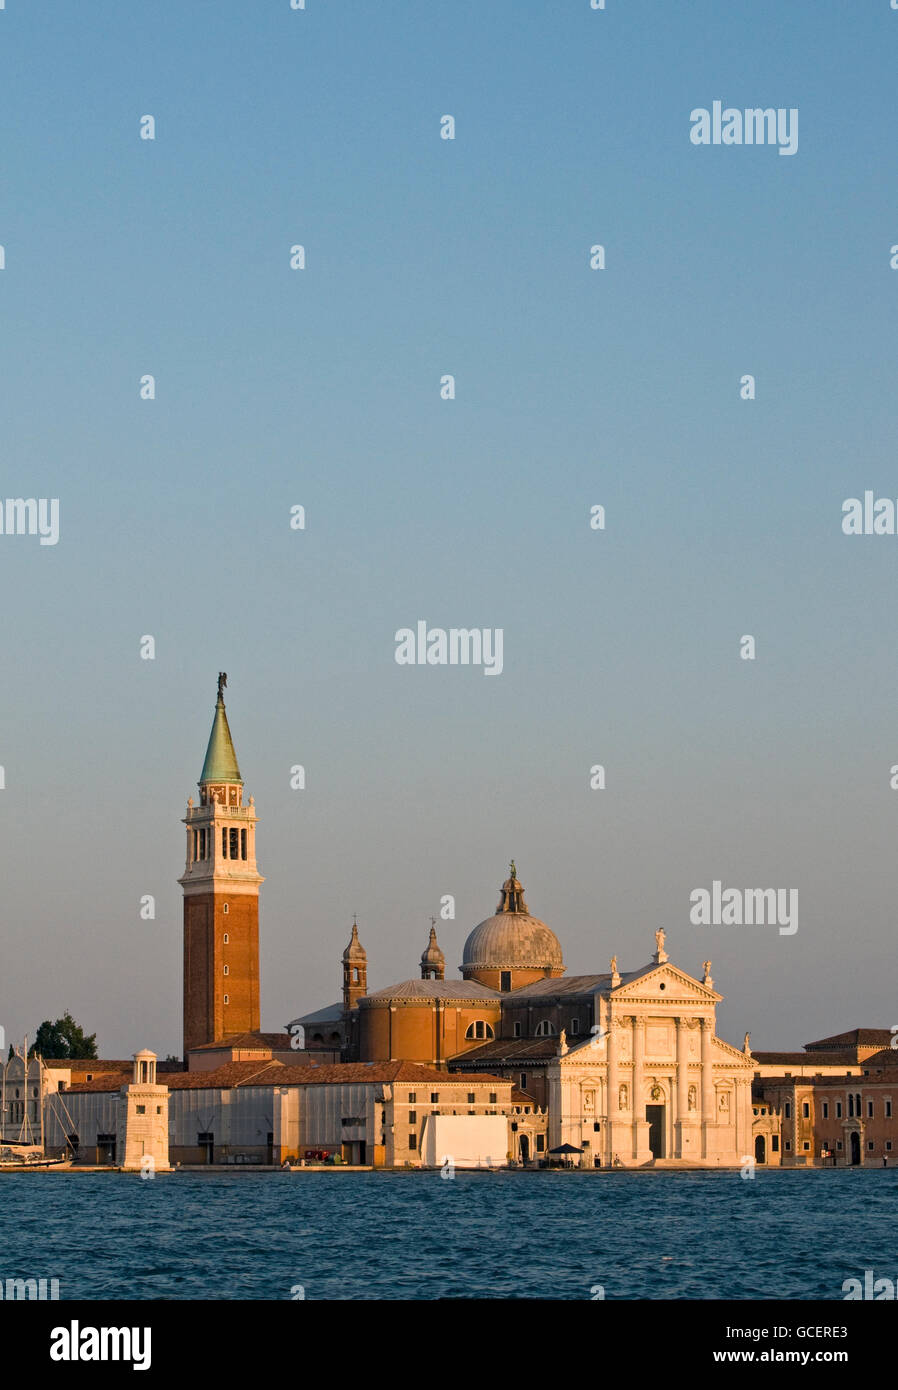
(557,1235)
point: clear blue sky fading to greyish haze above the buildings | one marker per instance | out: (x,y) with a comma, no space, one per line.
(575,387)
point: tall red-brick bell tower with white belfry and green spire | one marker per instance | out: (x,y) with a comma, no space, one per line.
(220,899)
